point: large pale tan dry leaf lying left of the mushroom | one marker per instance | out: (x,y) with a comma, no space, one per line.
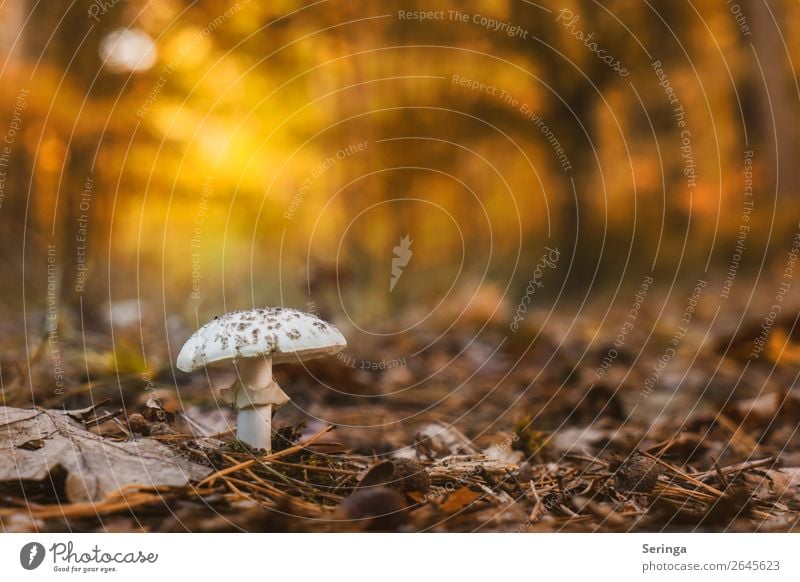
(33,443)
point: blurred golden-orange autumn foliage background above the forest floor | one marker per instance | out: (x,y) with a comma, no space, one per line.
(196,161)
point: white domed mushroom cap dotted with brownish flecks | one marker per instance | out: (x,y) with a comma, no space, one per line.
(280,333)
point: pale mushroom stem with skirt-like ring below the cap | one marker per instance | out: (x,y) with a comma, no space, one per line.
(255,394)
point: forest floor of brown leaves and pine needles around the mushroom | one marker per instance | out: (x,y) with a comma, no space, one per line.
(666,427)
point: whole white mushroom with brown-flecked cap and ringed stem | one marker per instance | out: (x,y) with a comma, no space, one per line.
(255,340)
